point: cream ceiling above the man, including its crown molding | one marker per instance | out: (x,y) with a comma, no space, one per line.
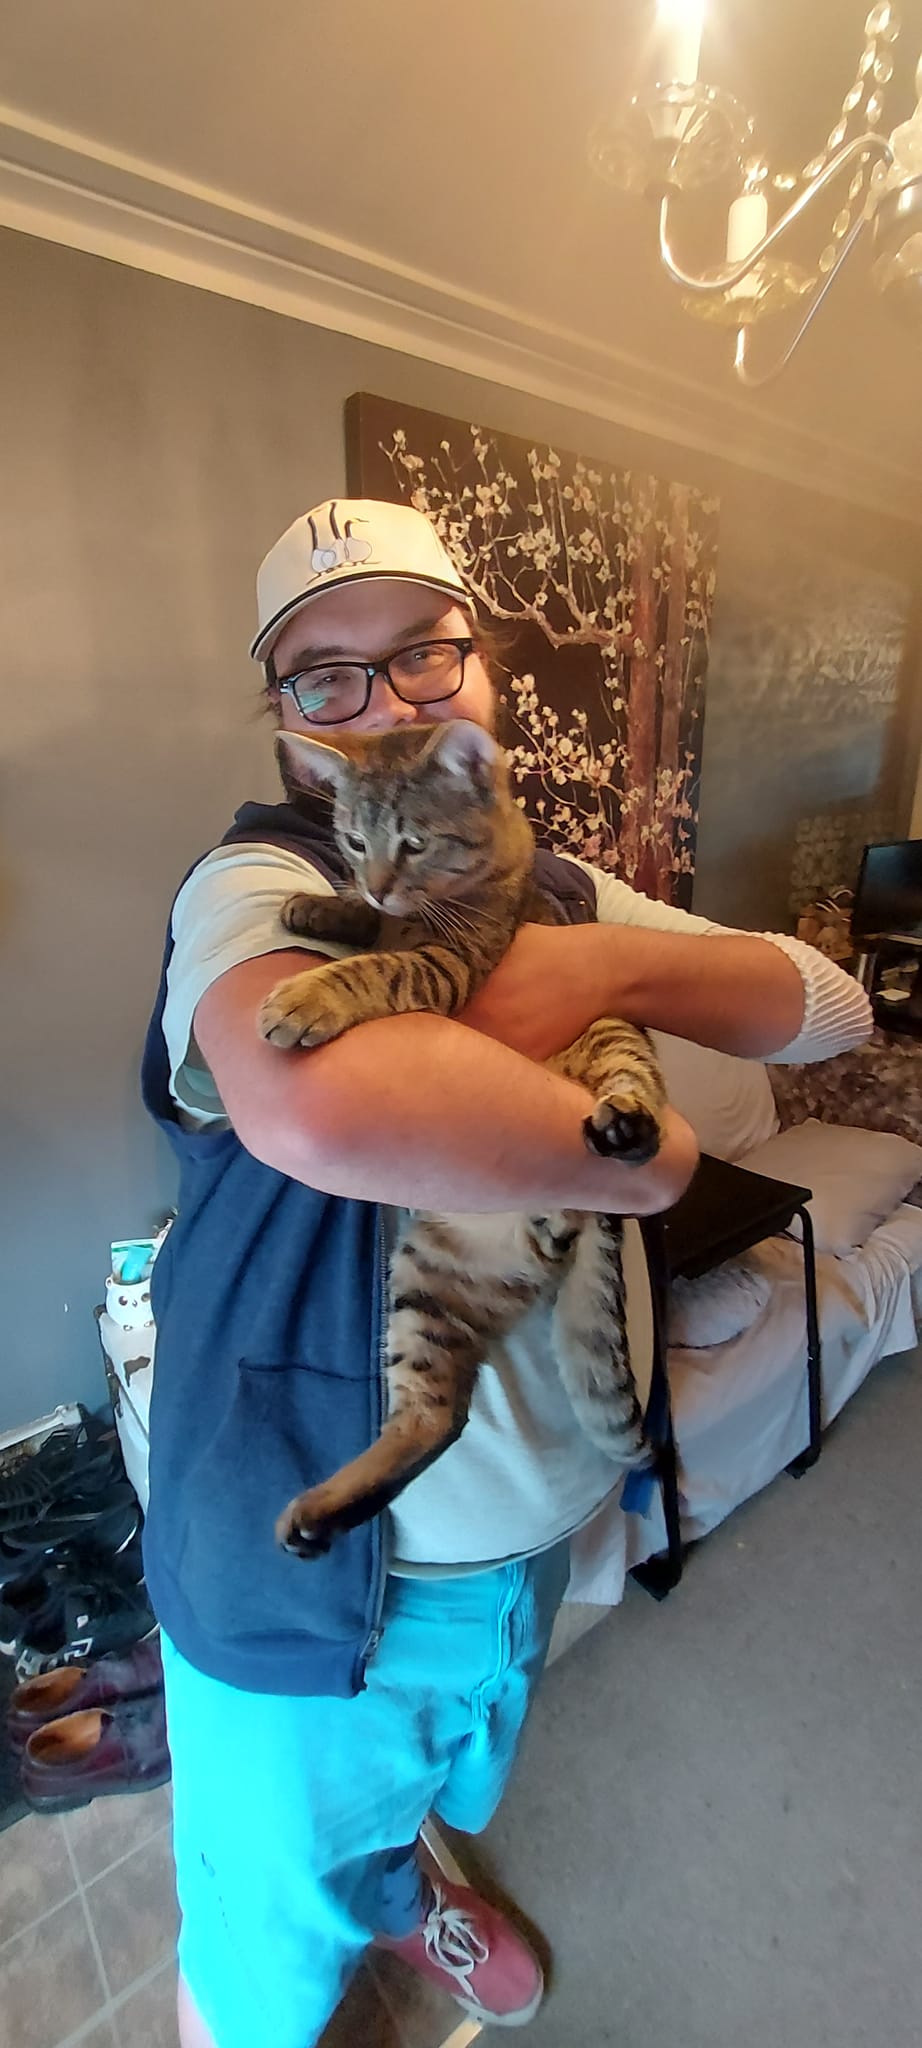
(419,175)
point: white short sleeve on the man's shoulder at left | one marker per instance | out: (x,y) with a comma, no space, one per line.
(224,914)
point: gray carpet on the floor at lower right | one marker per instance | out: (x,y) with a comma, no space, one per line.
(718,1814)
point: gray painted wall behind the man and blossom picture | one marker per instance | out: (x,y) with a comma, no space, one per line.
(155,441)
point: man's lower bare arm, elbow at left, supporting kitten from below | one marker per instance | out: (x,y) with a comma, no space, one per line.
(419,1111)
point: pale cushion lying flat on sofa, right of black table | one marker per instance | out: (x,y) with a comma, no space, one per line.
(857,1177)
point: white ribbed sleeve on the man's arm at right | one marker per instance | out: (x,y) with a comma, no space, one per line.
(837,1011)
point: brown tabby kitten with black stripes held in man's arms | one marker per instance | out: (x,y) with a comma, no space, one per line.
(444,876)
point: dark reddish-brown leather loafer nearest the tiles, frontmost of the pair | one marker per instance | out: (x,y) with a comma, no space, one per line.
(99,1752)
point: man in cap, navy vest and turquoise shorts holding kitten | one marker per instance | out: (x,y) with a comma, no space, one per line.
(319,1711)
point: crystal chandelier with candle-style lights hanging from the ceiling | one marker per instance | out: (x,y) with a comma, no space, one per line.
(683,134)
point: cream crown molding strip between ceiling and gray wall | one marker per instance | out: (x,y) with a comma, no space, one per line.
(77,191)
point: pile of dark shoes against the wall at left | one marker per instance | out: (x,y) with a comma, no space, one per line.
(89,1713)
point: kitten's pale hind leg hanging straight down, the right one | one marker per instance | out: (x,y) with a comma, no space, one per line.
(589,1334)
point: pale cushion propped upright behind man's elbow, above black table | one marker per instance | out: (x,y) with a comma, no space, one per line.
(726,1101)
